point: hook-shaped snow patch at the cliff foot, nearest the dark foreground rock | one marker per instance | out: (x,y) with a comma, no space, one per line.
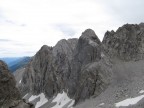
(42,101)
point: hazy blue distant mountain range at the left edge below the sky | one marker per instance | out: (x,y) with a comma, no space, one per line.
(15,63)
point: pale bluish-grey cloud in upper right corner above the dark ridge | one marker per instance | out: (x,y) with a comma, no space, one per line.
(126,11)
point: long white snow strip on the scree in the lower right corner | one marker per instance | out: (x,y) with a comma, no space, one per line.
(129,101)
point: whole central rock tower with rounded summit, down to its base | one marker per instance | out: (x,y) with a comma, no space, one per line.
(84,72)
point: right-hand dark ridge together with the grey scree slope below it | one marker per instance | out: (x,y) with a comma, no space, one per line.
(125,50)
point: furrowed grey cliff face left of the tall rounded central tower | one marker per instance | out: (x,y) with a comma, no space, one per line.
(49,69)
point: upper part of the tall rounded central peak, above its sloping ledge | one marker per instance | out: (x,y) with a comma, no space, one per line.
(88,48)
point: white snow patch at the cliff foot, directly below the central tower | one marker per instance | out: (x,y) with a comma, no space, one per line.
(62,99)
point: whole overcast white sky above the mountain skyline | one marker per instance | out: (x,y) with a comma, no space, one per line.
(26,25)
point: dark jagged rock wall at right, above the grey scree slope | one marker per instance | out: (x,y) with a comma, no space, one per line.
(127,43)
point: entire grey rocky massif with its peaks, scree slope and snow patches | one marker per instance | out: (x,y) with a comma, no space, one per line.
(88,73)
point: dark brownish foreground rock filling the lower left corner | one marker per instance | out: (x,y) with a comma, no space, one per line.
(9,94)
